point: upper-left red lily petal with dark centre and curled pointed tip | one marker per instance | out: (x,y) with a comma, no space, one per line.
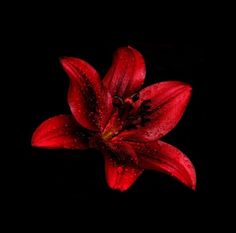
(89,102)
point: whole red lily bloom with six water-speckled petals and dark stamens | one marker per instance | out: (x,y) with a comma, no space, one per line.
(121,121)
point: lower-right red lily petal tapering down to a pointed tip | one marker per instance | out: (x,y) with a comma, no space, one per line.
(163,157)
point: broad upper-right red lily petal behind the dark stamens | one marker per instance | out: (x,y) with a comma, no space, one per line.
(168,103)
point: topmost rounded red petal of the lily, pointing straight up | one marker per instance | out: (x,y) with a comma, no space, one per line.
(126,74)
